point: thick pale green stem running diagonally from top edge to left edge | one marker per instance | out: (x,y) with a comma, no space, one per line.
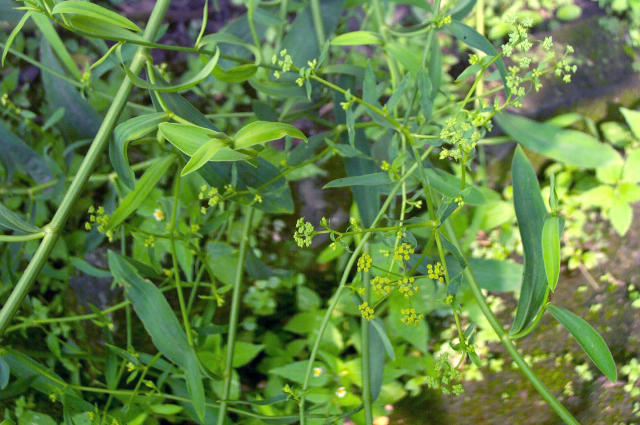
(56,226)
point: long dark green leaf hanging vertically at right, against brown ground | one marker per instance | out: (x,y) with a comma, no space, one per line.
(531,214)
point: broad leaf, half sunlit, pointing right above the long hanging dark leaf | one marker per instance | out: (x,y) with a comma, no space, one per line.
(568,146)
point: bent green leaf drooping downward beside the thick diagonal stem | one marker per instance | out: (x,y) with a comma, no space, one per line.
(125,132)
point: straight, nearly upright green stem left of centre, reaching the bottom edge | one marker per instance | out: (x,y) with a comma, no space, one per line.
(233,316)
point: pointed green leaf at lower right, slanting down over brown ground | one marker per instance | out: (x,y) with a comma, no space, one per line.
(589,339)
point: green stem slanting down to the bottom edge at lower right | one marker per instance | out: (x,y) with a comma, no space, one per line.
(564,414)
